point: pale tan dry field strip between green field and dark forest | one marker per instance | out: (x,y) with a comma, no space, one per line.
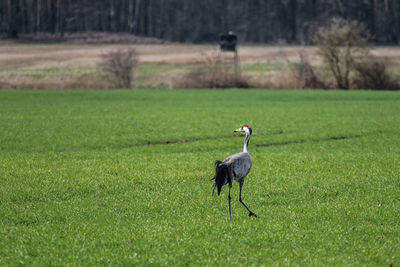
(72,66)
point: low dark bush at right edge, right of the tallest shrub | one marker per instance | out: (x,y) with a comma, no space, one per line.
(373,75)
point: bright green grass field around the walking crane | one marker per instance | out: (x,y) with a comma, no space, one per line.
(123,178)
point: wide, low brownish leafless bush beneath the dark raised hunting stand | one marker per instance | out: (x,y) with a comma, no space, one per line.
(213,72)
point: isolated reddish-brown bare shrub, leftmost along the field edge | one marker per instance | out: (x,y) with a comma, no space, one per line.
(118,66)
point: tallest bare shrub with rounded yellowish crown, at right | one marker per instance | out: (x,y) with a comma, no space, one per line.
(341,45)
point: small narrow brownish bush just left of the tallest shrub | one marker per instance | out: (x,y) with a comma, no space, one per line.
(304,74)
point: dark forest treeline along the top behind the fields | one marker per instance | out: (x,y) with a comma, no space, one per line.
(259,21)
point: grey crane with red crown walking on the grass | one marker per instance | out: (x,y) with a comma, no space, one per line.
(234,168)
